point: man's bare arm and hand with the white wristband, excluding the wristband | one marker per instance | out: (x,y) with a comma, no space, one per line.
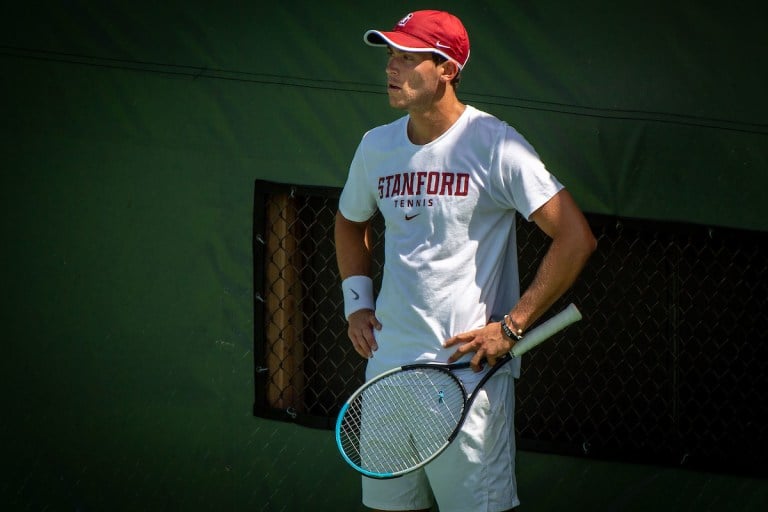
(353,257)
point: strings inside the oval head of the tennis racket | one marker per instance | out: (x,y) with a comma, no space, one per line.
(402,420)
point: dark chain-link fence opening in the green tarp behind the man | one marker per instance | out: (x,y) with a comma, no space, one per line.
(669,365)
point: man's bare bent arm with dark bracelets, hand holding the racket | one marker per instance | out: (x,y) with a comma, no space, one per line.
(572,243)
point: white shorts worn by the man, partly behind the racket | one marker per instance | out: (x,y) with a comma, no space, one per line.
(476,472)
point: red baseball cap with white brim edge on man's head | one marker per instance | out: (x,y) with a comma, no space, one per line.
(426,31)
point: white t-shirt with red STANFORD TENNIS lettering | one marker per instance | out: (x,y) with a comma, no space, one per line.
(450,255)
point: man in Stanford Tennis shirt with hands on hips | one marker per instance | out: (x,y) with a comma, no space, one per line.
(448,180)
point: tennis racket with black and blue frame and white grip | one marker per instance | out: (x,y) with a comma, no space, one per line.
(402,419)
